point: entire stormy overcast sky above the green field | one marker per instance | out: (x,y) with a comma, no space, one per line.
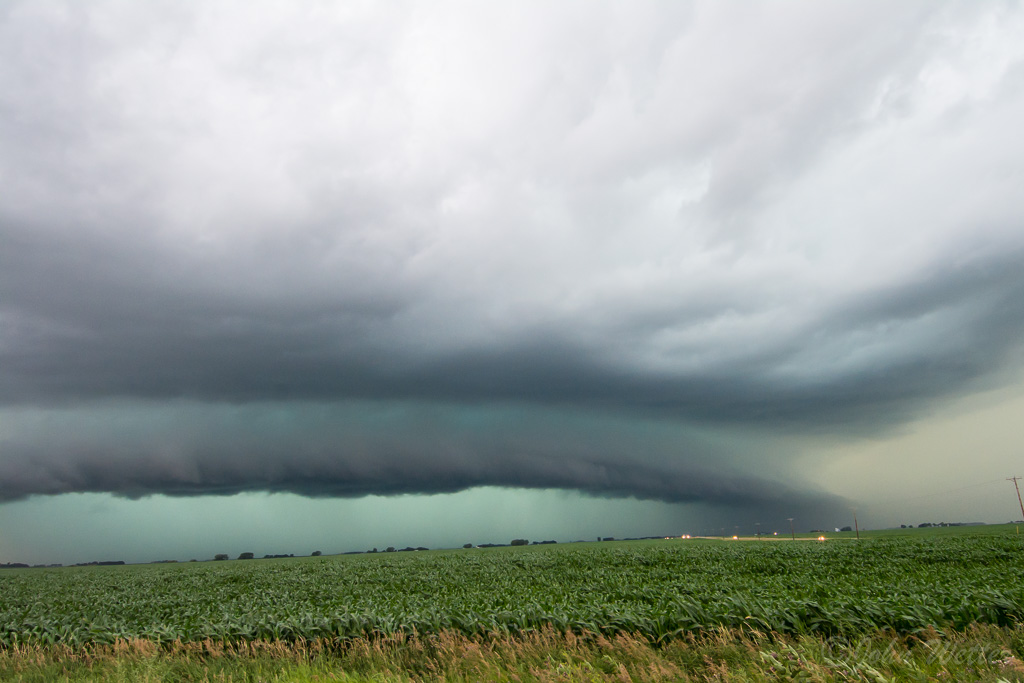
(471,270)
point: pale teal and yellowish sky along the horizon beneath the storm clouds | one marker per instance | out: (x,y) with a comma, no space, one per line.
(976,440)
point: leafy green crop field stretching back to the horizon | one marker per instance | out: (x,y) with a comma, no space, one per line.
(657,594)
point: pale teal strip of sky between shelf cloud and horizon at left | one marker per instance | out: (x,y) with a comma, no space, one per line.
(285,524)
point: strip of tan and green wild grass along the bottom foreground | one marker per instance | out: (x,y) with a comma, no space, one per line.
(980,654)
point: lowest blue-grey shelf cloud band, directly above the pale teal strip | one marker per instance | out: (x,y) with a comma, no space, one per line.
(361,448)
